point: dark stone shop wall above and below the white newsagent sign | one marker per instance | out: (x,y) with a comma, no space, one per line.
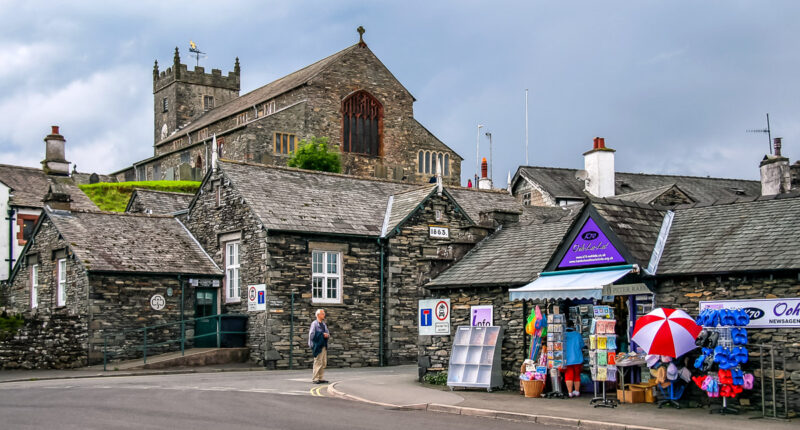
(686,292)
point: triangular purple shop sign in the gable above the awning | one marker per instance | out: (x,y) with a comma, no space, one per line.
(590,248)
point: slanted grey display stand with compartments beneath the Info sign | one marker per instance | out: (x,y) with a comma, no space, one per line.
(475,358)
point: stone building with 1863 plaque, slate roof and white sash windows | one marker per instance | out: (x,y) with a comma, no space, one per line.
(361,248)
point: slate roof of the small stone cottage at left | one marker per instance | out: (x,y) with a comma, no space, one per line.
(117,242)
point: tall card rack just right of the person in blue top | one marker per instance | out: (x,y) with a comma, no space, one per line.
(602,345)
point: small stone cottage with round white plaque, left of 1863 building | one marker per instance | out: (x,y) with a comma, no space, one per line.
(85,276)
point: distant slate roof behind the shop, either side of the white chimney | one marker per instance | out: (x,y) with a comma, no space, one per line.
(561,183)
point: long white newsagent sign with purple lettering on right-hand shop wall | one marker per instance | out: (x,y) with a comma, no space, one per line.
(764,313)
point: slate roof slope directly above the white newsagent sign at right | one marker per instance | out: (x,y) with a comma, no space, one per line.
(747,236)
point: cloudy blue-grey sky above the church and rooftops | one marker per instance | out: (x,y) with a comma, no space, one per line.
(672,86)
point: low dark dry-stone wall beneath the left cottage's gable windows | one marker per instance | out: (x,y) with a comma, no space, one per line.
(46,341)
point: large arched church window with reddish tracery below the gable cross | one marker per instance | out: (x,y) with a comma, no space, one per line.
(362,124)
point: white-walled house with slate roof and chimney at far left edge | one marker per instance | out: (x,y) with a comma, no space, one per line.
(21,192)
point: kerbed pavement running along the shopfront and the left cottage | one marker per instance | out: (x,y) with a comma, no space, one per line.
(397,388)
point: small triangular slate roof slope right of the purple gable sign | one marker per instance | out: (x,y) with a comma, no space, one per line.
(637,225)
